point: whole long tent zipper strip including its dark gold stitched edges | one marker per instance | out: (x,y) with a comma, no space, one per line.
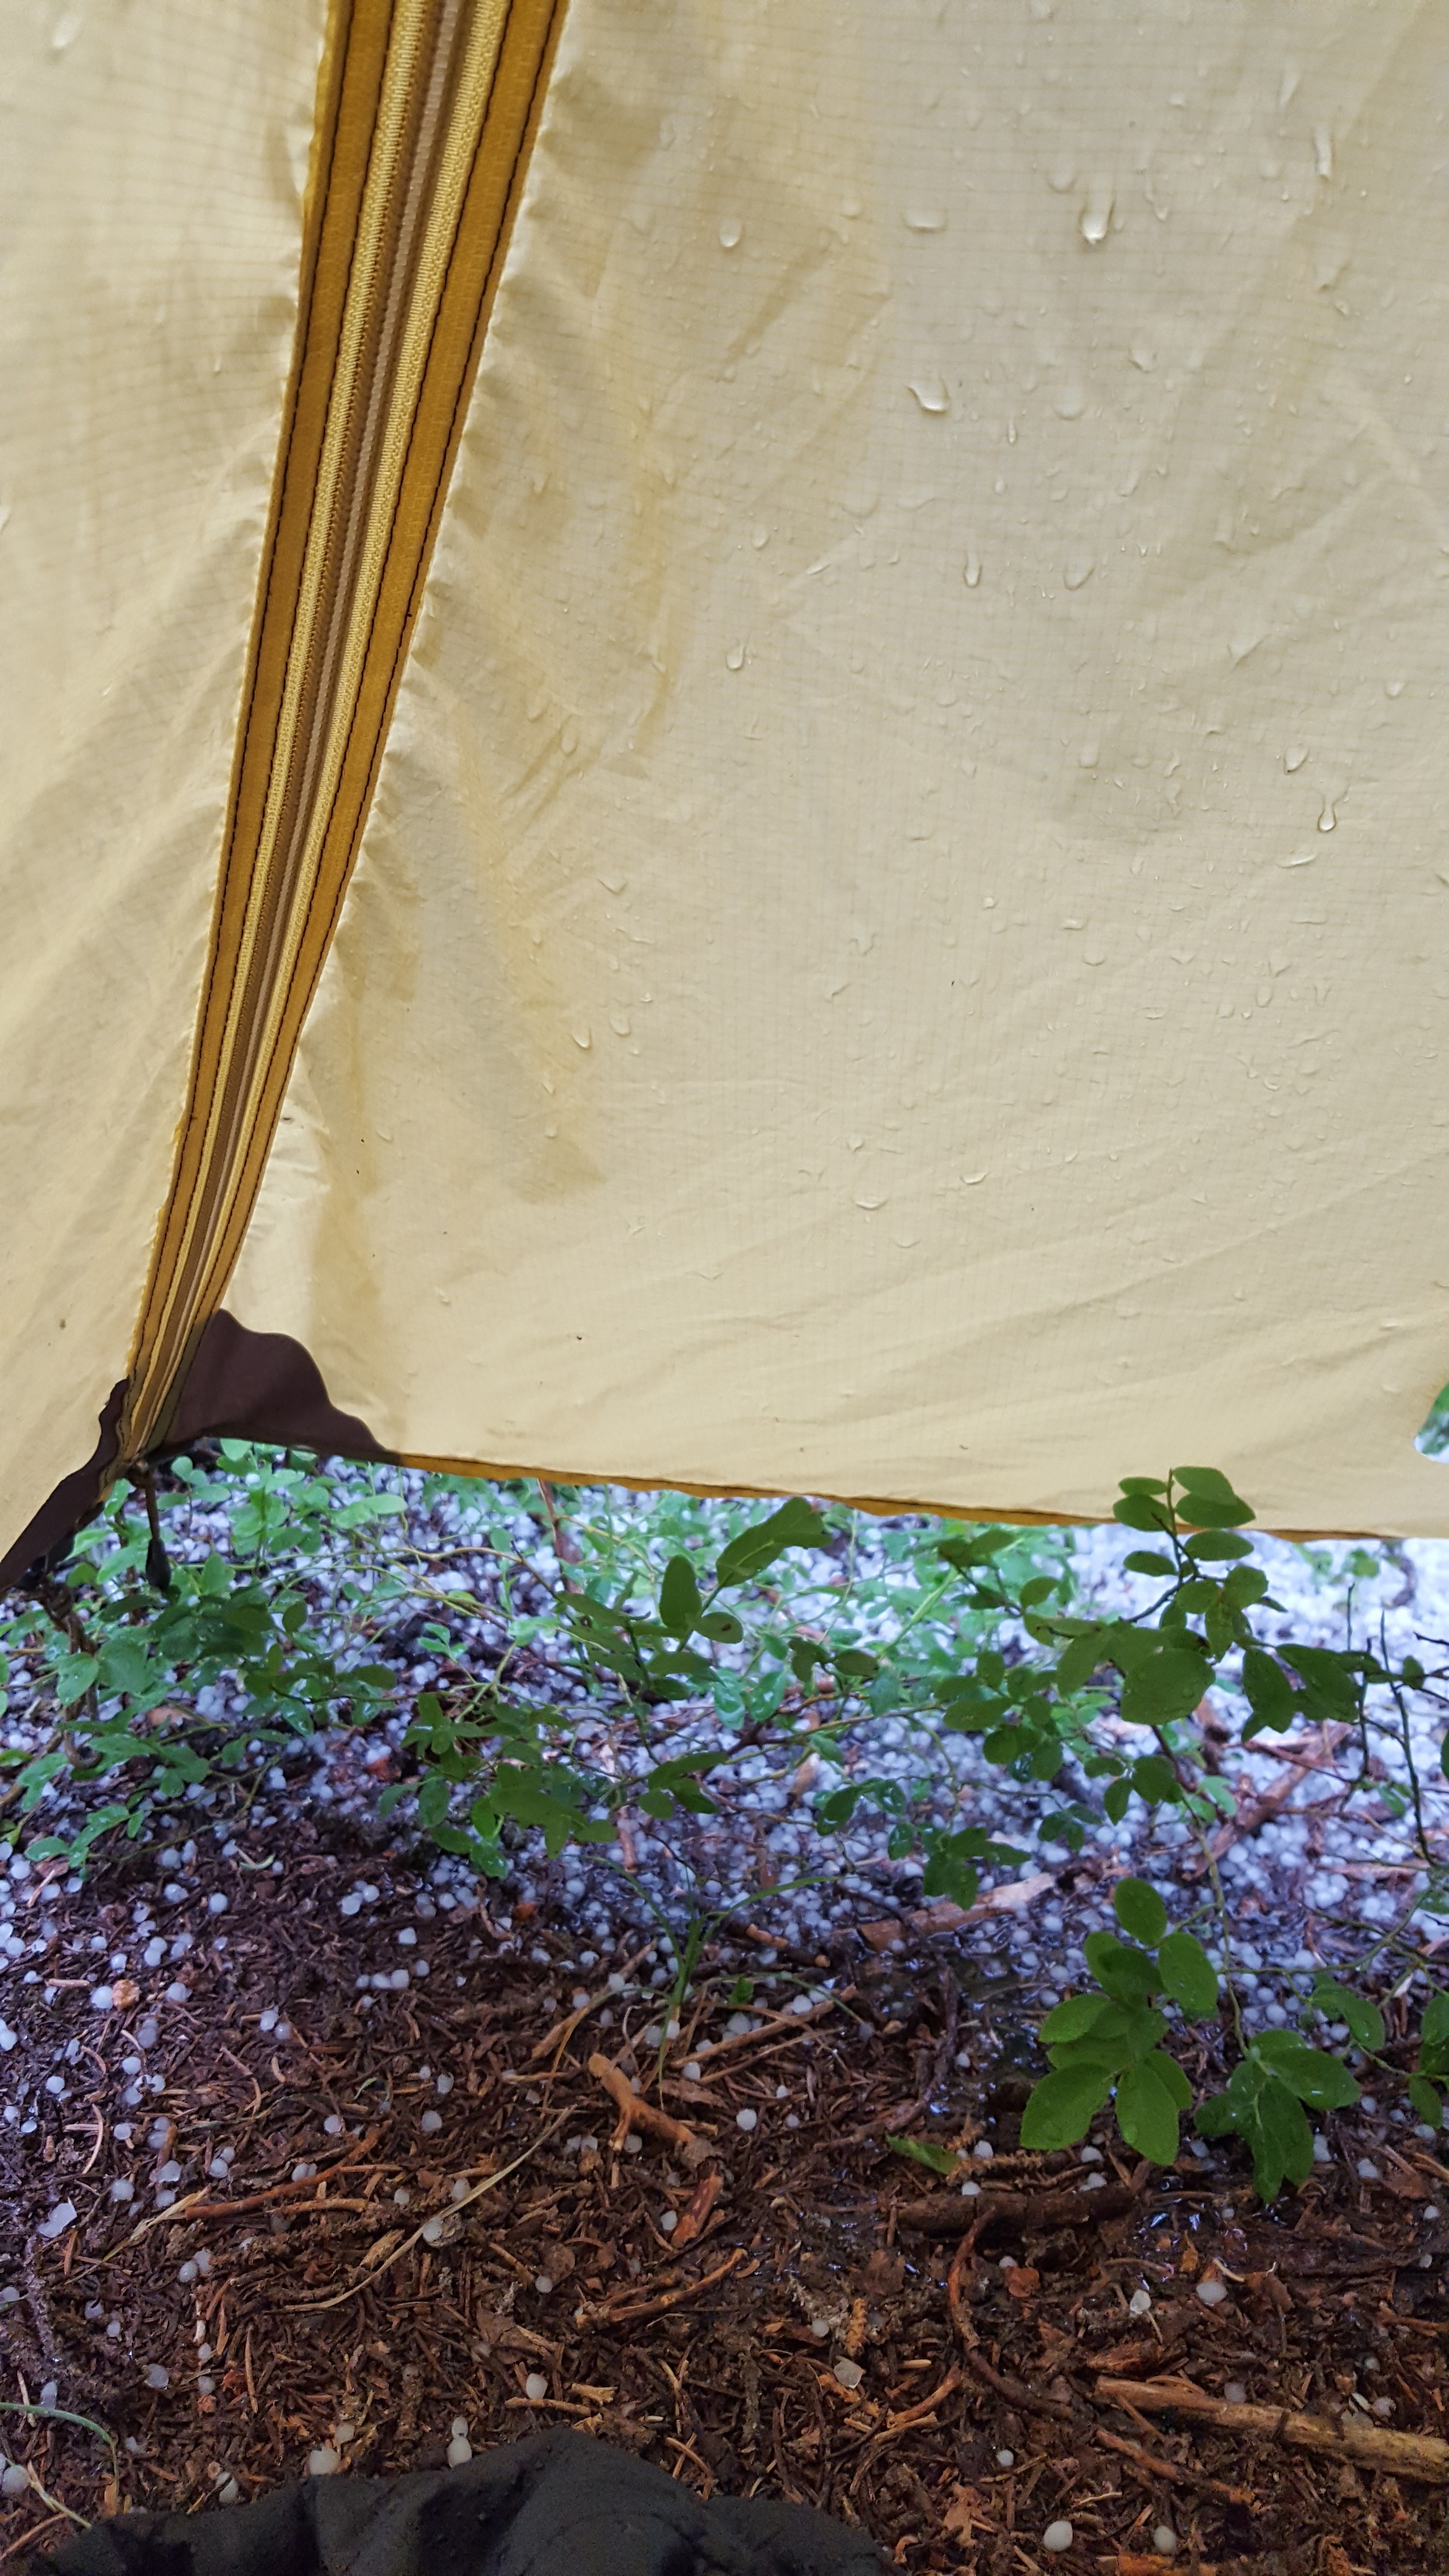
(424,125)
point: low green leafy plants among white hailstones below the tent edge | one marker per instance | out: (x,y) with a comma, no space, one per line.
(718,1634)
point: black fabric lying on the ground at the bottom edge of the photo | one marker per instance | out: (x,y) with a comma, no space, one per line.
(553,2505)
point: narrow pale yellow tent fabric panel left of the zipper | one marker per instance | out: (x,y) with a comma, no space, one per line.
(151,223)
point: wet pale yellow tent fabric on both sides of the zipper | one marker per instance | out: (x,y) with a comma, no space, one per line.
(901,936)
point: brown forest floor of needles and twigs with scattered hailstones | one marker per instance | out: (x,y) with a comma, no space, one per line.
(293,2214)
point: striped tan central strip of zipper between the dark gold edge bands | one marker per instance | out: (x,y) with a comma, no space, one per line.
(432,104)
